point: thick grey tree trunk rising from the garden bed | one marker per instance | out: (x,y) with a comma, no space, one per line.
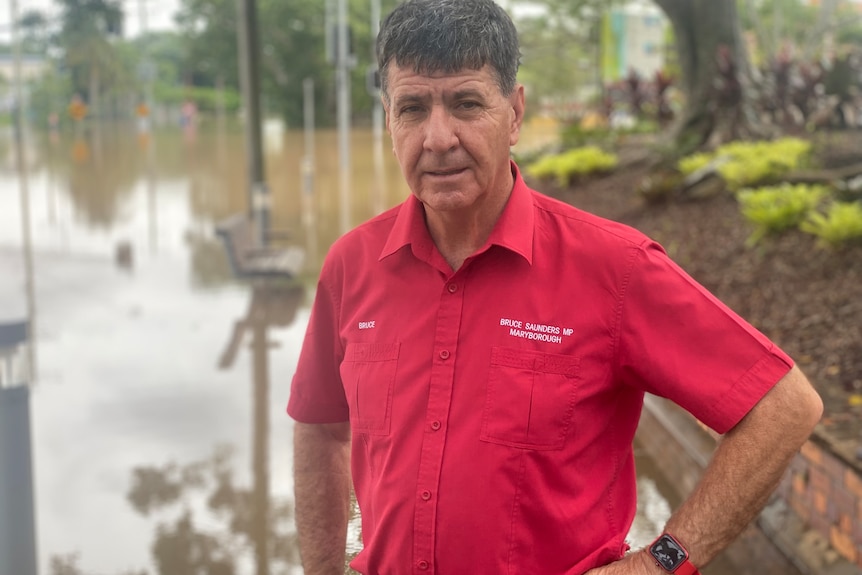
(715,73)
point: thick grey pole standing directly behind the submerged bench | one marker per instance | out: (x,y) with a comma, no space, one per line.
(259,201)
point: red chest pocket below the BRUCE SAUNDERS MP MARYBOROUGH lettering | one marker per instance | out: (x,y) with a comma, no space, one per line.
(530,399)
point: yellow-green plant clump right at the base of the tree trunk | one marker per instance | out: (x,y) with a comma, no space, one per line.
(744,164)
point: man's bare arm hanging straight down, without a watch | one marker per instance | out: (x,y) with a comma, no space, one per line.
(321,467)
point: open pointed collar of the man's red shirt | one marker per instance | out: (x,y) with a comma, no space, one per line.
(513,230)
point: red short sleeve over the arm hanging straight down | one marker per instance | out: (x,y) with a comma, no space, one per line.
(316,392)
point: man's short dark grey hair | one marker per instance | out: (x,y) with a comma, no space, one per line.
(448,36)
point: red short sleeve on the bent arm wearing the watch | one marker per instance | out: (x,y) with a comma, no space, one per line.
(678,341)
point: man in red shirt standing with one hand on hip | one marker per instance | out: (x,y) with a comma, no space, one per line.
(476,357)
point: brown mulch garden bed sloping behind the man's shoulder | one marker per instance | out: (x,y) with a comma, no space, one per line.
(806,298)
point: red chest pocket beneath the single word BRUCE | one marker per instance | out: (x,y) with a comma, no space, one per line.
(368,375)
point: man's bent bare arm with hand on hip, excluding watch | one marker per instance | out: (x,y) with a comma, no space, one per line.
(745,469)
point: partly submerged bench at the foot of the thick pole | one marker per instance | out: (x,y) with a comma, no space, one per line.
(248,259)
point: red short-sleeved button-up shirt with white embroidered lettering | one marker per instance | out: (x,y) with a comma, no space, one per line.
(493,408)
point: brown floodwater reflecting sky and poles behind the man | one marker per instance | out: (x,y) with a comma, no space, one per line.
(160,381)
